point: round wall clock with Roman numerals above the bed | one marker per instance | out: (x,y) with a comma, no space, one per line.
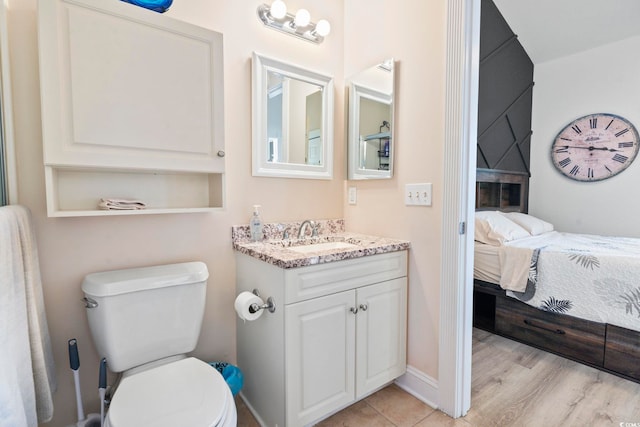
(595,147)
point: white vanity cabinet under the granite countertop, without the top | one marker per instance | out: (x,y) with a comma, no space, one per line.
(337,335)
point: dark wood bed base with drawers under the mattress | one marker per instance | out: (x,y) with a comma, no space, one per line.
(606,347)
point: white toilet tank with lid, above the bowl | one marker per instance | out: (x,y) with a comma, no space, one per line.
(141,315)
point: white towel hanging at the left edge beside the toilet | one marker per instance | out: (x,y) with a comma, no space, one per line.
(27,370)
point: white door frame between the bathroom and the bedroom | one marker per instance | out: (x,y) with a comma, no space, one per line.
(456,289)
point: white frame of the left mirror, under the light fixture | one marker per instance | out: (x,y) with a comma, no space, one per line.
(262,65)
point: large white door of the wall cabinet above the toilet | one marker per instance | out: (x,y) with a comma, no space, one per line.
(125,87)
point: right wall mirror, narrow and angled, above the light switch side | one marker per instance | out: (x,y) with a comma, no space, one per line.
(371,111)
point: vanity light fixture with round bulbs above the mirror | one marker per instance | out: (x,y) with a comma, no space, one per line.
(299,25)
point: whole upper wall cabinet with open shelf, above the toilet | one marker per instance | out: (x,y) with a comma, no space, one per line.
(132,107)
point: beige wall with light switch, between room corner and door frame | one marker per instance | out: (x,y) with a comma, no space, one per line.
(413,33)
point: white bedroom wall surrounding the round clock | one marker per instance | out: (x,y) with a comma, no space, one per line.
(604,79)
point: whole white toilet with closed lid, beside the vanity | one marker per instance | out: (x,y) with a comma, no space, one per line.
(144,321)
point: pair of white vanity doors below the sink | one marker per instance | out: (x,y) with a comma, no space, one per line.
(343,346)
